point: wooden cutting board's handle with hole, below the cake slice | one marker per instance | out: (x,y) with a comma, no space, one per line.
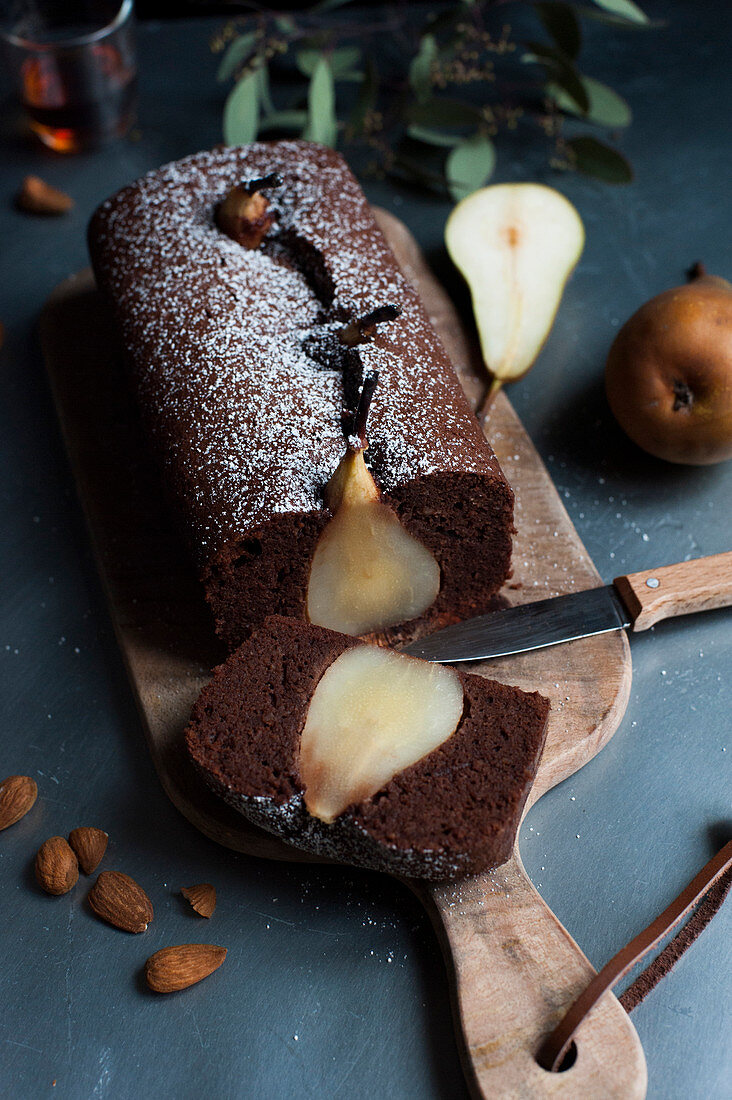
(505,947)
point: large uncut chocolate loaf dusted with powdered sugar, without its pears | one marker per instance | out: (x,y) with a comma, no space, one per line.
(243,378)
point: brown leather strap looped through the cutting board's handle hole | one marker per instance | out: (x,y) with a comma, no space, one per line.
(555,1048)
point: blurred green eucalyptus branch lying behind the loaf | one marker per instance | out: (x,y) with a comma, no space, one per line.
(463,78)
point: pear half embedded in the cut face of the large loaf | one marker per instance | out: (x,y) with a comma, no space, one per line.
(368,573)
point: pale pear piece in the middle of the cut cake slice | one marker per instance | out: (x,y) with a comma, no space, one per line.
(373,714)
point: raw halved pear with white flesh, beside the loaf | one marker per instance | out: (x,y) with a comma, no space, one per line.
(517,246)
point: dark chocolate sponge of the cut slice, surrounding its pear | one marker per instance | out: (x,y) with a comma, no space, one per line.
(453,811)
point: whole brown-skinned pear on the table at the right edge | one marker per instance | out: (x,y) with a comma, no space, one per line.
(670,373)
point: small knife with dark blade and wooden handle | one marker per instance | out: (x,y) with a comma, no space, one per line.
(636,601)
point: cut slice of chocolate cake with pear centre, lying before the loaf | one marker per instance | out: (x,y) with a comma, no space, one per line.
(367,756)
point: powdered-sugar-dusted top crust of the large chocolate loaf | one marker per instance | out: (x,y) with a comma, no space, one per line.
(243,414)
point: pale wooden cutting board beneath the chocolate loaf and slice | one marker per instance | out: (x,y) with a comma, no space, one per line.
(514,969)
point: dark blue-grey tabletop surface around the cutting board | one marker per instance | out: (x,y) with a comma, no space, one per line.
(334,986)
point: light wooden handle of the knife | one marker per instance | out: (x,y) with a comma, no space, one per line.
(678,590)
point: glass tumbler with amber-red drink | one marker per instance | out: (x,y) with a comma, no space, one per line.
(75,65)
